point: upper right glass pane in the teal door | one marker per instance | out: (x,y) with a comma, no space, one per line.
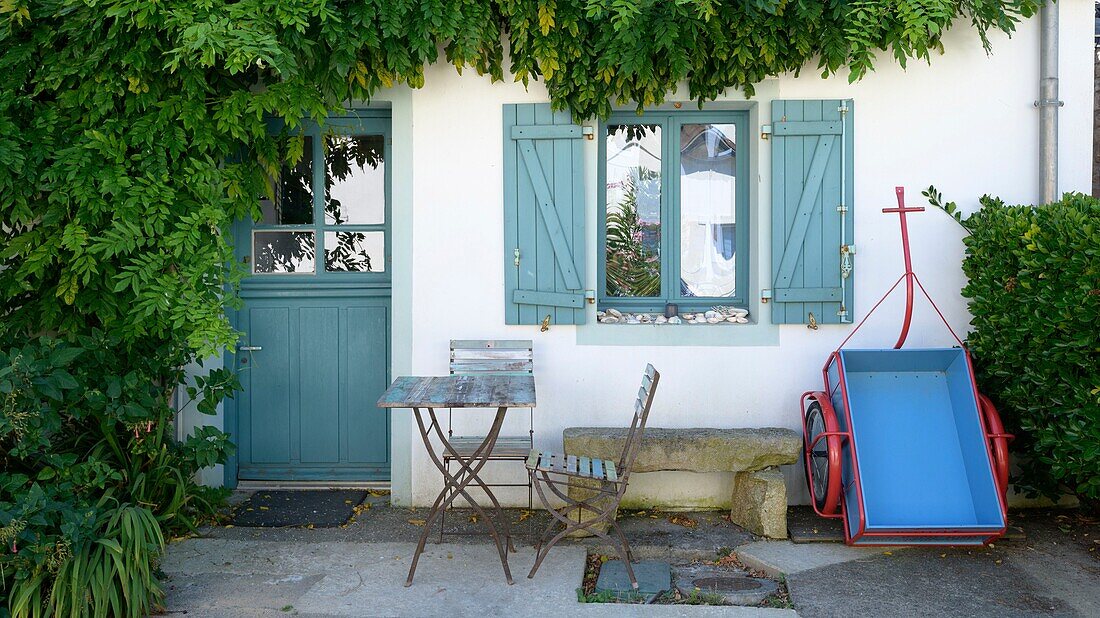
(355,180)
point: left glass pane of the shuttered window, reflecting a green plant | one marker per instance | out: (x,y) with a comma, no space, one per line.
(634,211)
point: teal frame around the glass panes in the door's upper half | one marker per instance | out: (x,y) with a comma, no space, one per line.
(361,123)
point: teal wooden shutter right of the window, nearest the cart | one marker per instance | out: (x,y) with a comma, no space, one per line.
(812,212)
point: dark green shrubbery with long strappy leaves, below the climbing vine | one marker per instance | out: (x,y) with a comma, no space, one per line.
(92,478)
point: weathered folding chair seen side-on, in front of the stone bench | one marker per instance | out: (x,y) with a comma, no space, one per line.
(611,480)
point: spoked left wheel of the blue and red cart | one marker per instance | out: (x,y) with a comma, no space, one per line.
(822,456)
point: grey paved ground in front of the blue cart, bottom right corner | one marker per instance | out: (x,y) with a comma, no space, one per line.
(1055,571)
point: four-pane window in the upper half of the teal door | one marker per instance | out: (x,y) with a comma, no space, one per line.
(333,203)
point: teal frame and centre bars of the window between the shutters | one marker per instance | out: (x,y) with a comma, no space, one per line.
(670,123)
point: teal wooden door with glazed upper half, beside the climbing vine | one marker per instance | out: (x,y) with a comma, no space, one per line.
(314,356)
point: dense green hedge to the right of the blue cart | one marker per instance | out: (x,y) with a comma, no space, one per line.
(1035,293)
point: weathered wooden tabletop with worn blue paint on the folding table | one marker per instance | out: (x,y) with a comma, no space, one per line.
(460,392)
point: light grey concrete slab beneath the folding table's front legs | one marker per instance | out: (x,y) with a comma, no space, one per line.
(241,578)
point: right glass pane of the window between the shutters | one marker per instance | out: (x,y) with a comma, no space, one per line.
(708,211)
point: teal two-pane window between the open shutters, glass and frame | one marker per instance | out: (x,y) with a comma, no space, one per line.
(674,214)
